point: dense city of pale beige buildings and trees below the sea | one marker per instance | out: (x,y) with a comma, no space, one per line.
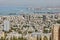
(30,27)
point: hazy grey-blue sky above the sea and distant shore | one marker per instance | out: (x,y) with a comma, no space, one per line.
(30,3)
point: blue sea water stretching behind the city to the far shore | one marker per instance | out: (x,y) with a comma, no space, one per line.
(18,10)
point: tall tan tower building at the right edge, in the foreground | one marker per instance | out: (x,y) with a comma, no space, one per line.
(56,32)
